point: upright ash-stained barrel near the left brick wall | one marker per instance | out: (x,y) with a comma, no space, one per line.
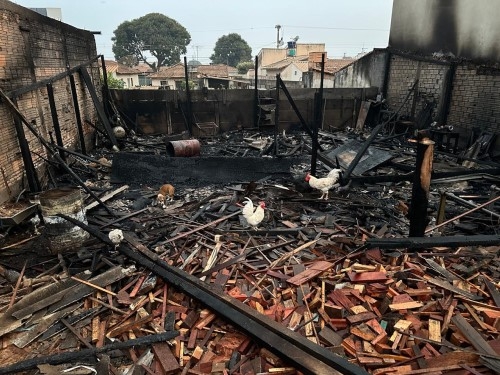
(61,234)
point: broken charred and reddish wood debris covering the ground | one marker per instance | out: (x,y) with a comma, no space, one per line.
(319,287)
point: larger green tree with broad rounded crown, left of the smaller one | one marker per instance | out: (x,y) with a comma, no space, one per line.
(156,34)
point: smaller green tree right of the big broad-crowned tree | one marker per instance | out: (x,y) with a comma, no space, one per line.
(231,49)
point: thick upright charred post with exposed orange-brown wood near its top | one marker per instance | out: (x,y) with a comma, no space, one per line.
(421,184)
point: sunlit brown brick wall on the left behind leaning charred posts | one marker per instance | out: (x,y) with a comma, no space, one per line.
(35,48)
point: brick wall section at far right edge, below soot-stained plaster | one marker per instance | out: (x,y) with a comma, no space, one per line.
(475,100)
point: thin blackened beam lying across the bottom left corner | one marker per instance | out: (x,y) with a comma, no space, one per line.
(68,357)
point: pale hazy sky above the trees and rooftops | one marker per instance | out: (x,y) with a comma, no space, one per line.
(346,27)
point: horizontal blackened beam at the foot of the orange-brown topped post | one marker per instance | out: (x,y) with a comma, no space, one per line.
(423,242)
